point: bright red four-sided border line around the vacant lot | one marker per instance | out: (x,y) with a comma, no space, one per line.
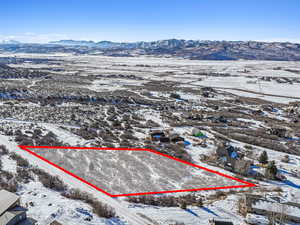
(244,183)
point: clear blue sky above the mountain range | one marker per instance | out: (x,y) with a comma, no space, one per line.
(144,20)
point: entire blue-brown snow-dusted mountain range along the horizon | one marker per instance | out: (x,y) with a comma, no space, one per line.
(189,49)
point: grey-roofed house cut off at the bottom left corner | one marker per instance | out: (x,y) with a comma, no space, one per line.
(11,213)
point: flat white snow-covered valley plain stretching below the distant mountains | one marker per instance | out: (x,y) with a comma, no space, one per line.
(242,75)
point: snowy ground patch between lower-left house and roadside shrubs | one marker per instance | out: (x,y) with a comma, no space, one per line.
(45,206)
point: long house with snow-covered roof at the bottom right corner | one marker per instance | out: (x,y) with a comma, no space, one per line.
(280,211)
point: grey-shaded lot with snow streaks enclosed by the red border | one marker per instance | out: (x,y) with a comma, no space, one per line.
(125,172)
